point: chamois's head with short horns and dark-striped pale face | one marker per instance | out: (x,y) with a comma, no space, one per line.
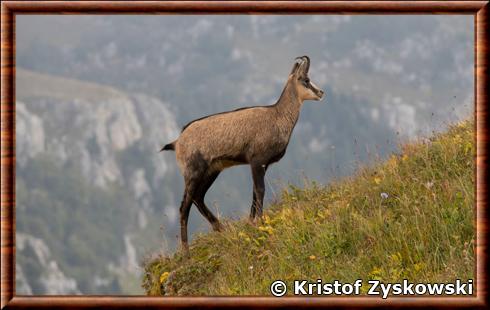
(305,88)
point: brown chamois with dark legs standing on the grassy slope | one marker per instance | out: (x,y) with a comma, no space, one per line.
(257,136)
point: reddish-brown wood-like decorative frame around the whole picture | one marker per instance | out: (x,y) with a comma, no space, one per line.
(9,9)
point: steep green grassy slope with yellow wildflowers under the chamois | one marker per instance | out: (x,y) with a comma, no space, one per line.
(422,231)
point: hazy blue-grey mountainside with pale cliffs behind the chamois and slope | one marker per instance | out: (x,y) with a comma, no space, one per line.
(97,96)
